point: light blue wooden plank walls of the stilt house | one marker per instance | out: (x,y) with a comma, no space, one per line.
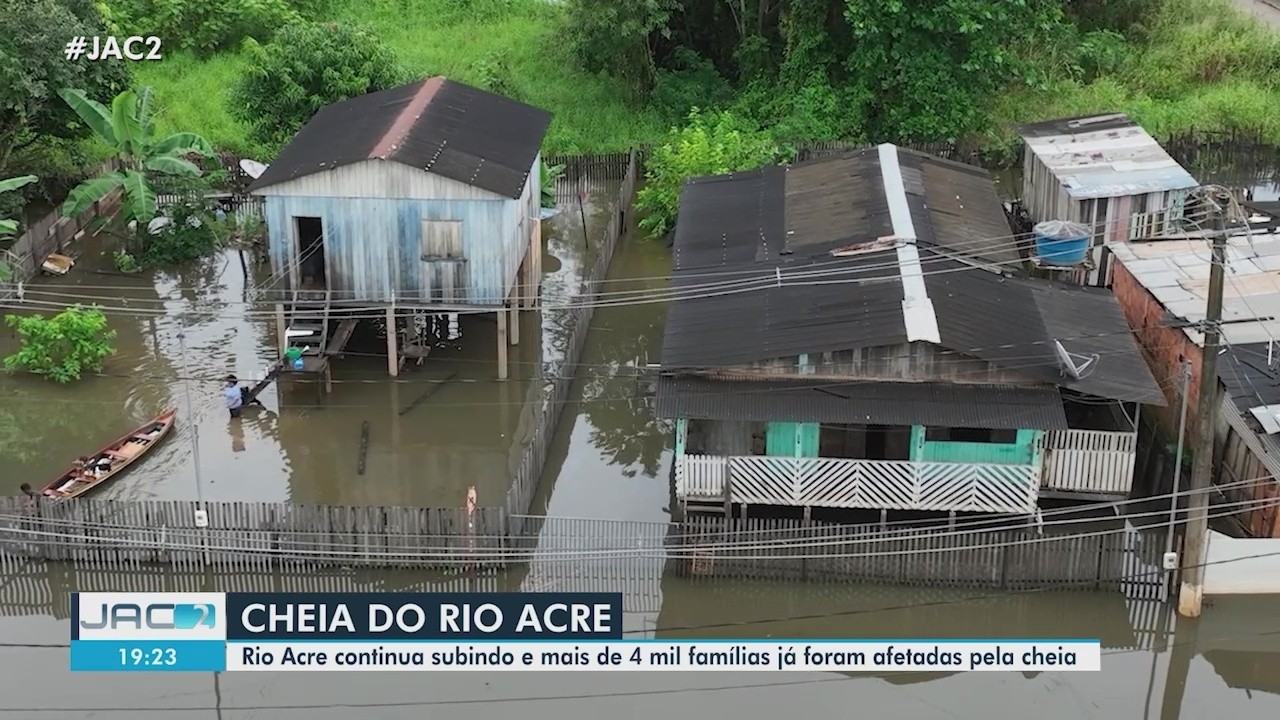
(373,245)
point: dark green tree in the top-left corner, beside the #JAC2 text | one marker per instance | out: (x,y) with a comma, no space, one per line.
(34,67)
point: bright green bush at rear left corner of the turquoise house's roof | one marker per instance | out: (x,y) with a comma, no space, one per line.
(710,145)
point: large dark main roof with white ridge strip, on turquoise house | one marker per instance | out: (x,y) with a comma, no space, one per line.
(774,233)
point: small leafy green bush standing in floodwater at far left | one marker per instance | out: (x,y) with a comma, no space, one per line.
(65,347)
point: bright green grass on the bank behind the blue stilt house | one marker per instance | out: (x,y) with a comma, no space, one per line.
(519,44)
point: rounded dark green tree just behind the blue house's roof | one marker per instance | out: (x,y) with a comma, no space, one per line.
(307,67)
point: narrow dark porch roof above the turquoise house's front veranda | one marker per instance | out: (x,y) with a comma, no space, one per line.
(885,404)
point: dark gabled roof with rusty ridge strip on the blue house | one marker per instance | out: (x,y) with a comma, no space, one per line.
(436,125)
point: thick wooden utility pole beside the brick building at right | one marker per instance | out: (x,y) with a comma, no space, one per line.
(1192,594)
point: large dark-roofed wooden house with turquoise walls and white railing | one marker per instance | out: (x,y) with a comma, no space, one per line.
(874,350)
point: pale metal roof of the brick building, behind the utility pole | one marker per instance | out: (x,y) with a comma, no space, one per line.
(1176,272)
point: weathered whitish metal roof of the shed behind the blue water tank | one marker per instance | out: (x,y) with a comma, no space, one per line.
(1105,157)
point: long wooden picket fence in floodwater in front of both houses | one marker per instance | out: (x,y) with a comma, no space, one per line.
(573,554)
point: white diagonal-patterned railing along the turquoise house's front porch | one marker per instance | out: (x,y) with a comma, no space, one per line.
(894,485)
